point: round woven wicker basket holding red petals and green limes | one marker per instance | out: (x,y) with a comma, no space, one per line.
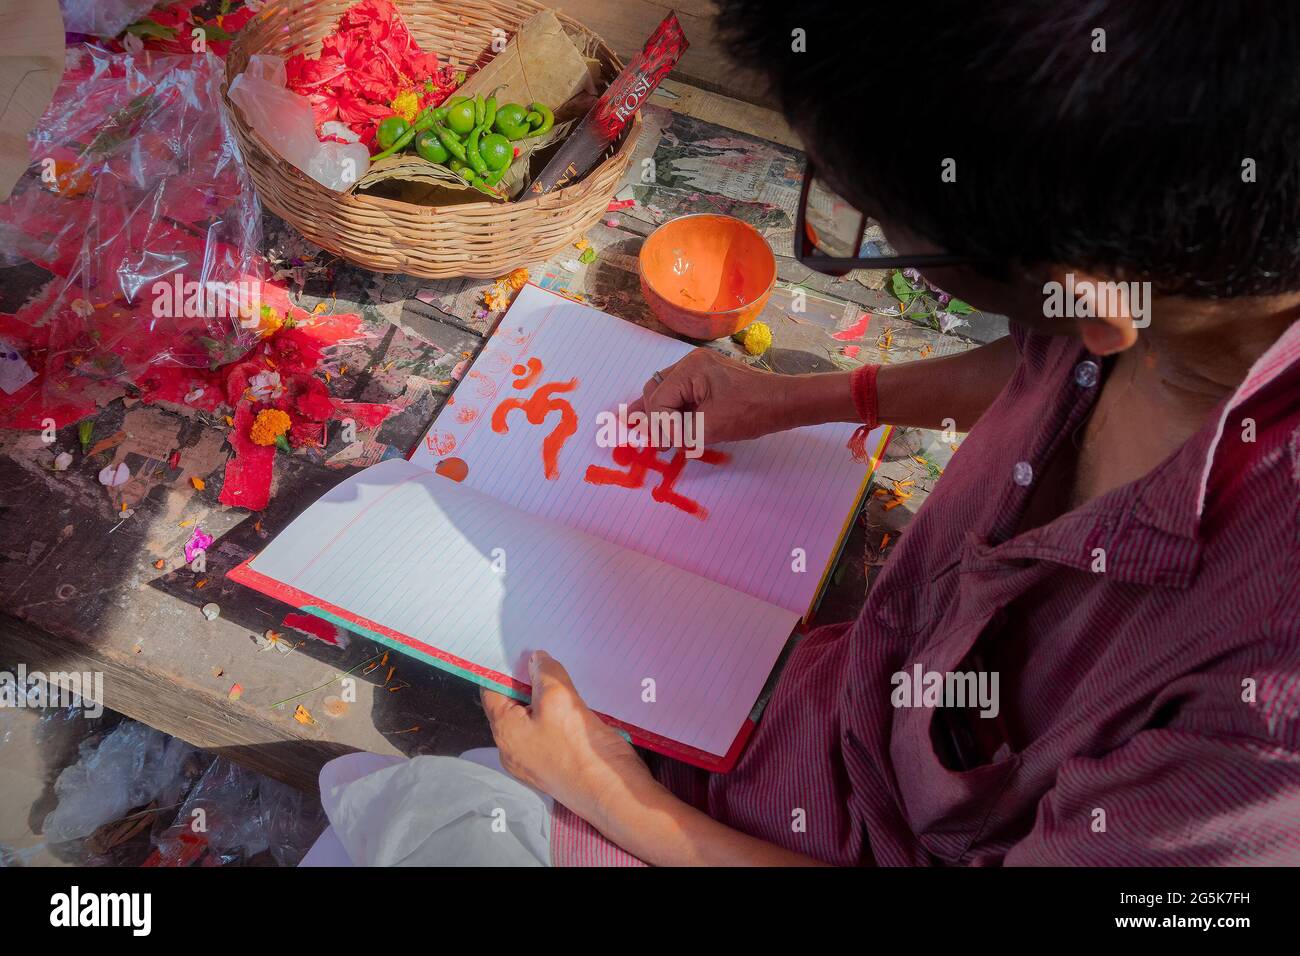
(482,240)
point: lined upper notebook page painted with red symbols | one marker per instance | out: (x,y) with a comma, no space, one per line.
(774,511)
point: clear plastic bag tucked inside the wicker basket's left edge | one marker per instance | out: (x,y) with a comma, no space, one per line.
(287,123)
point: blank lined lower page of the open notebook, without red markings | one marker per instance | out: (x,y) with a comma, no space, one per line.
(414,552)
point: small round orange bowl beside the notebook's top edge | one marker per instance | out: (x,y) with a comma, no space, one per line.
(707,276)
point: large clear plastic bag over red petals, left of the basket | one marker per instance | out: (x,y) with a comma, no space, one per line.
(138,206)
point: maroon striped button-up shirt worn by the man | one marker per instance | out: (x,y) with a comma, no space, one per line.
(1155,706)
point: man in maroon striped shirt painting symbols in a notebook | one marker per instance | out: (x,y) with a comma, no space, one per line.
(1117,540)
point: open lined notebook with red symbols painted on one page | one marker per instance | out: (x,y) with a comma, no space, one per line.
(666,585)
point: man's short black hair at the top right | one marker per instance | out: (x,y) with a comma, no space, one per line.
(1129,162)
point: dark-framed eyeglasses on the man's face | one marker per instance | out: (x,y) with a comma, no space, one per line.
(835,239)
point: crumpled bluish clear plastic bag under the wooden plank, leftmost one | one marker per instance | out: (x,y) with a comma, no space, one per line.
(132,767)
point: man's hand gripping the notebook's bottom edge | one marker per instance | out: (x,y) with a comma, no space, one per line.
(560,746)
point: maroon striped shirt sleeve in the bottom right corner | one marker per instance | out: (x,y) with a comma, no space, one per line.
(1171,798)
